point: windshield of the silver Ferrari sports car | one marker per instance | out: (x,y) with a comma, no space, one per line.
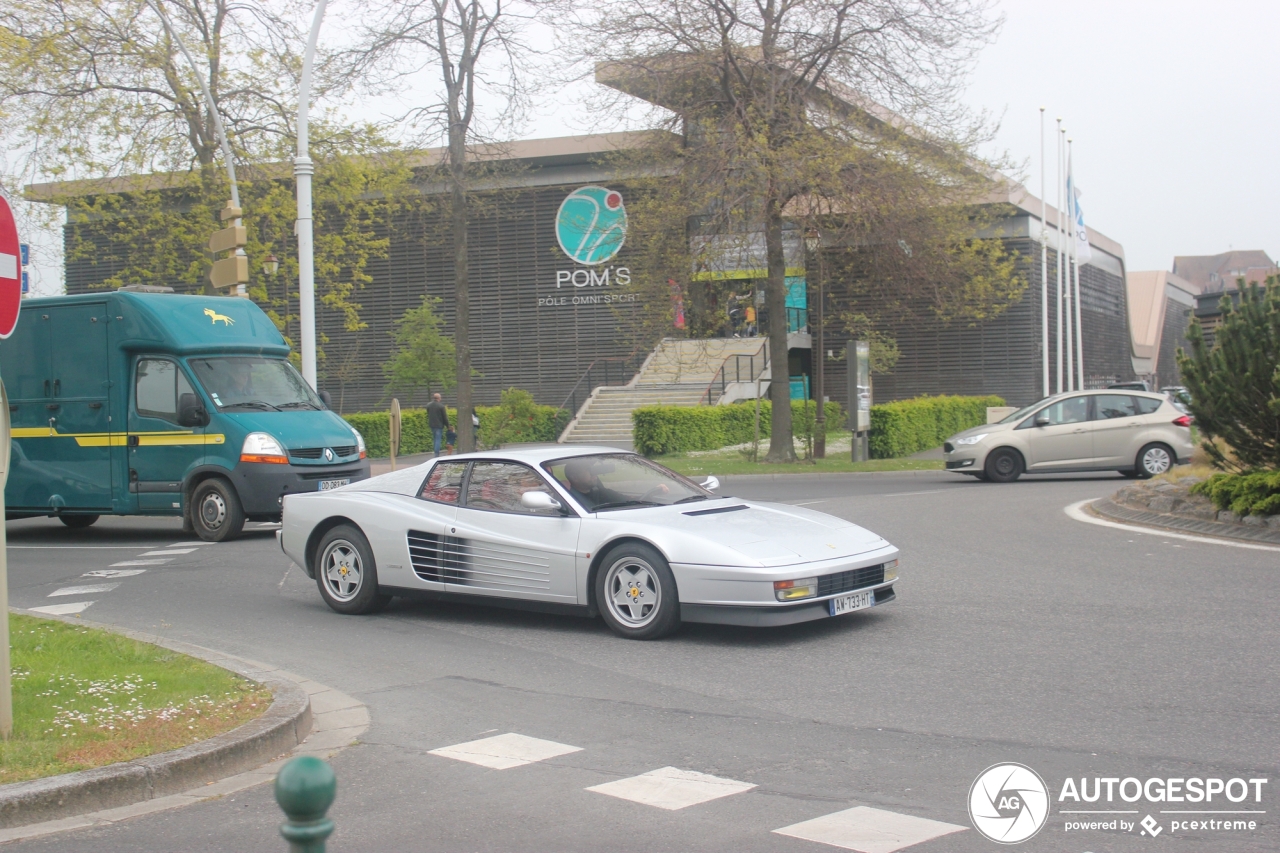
(623,482)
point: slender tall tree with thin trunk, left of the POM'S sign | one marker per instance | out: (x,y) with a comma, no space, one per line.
(474,51)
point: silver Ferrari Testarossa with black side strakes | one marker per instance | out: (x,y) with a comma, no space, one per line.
(592,531)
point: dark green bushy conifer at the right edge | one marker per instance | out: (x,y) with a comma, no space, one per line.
(1236,385)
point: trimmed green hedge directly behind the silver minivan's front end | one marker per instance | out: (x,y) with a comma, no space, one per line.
(913,426)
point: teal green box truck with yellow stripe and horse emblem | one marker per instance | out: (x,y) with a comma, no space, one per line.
(136,403)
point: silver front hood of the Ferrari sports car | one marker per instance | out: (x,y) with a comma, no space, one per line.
(772,535)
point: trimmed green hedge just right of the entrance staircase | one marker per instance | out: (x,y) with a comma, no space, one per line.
(678,430)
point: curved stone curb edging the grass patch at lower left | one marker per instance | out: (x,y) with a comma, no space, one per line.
(305,718)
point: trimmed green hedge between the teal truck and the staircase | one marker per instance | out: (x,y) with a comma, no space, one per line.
(545,425)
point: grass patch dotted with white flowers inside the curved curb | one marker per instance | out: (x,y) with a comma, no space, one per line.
(85,699)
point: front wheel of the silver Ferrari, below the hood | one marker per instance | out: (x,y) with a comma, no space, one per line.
(637,592)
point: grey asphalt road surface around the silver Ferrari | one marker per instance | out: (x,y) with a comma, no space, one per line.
(1020,636)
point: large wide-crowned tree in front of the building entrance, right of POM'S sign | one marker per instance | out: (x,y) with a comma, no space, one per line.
(787,106)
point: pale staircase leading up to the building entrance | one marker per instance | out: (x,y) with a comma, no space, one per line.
(679,373)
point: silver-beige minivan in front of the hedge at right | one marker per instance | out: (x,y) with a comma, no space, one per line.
(1136,434)
